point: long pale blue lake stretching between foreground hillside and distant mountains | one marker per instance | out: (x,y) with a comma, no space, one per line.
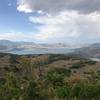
(43,51)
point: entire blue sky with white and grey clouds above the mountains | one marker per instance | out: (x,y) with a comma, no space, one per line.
(50,21)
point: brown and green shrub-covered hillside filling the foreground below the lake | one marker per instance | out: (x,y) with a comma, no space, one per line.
(56,77)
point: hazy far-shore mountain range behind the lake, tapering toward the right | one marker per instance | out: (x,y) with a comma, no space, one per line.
(6,45)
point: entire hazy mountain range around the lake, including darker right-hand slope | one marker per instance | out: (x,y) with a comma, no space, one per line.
(85,50)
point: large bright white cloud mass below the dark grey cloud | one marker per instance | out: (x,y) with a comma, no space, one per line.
(66,25)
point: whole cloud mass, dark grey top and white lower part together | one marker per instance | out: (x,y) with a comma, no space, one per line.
(62,20)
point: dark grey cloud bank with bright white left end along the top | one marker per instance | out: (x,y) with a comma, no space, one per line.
(54,6)
